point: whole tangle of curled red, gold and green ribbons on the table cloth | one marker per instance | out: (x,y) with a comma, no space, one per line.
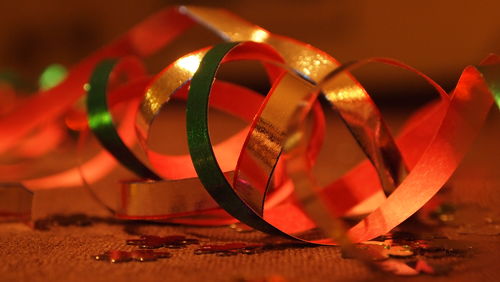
(274,155)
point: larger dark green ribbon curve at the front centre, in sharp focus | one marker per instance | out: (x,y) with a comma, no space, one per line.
(200,146)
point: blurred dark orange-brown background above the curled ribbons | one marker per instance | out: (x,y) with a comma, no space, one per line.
(438,37)
